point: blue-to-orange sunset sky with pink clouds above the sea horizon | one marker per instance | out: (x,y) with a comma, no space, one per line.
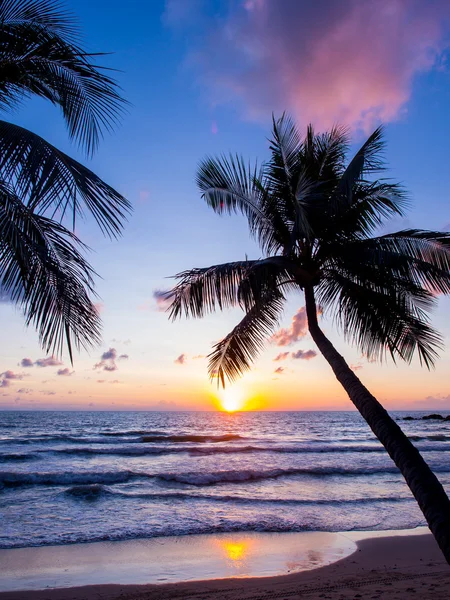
(203,77)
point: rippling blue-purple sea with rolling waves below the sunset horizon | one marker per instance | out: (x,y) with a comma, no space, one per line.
(68,477)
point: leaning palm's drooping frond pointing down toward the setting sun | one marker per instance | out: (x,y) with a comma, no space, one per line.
(234,355)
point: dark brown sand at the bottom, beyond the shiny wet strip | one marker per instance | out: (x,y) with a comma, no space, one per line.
(395,567)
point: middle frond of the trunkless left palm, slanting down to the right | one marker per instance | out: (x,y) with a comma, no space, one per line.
(46,179)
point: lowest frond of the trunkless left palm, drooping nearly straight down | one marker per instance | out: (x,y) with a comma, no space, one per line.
(42,271)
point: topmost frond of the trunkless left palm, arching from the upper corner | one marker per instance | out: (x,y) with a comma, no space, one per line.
(38,55)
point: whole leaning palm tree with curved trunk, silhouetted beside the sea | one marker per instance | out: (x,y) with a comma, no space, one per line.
(315,217)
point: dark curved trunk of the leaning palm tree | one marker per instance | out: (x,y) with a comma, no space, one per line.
(423,483)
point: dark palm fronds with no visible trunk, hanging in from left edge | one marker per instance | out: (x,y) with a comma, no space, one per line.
(42,267)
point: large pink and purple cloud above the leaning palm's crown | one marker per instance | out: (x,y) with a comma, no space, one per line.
(349,62)
